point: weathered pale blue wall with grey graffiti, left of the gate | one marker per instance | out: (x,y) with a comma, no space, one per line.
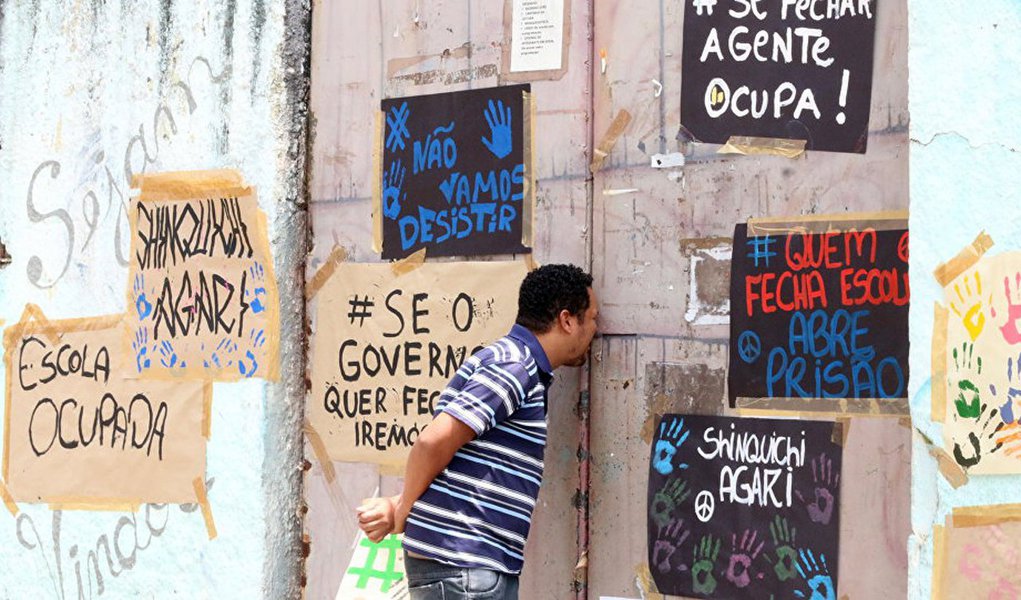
(91,93)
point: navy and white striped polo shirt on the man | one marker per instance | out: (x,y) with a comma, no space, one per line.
(477,513)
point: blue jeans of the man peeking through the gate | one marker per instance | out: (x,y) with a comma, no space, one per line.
(428,580)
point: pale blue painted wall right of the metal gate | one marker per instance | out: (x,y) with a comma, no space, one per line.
(965,177)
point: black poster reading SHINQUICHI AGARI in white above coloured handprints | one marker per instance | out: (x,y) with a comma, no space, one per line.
(745,509)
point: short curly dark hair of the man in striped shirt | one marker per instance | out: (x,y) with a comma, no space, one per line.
(549,290)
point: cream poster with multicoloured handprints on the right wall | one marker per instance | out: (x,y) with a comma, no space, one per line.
(983,355)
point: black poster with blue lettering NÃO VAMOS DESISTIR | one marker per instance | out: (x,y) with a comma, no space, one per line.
(455,173)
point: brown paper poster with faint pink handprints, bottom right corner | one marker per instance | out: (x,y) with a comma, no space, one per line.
(979,562)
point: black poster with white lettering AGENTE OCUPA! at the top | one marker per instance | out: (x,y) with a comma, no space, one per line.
(799,70)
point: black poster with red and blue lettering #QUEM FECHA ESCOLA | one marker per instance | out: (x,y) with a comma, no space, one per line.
(819,316)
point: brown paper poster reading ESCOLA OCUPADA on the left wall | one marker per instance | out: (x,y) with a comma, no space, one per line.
(79,433)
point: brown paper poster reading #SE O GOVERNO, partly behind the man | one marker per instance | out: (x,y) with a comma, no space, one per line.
(388,338)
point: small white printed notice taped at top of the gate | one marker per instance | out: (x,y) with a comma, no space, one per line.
(538,35)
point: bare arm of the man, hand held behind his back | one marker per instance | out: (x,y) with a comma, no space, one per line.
(431,454)
